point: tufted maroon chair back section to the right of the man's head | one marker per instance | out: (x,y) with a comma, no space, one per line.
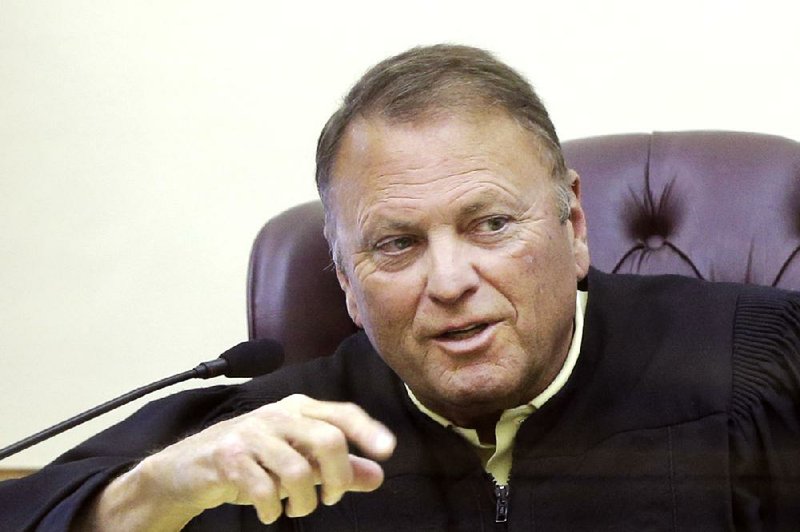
(711,205)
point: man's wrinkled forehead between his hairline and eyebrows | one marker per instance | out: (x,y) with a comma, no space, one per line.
(375,153)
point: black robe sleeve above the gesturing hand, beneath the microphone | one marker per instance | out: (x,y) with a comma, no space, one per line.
(50,499)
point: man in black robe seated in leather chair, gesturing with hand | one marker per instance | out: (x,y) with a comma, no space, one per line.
(483,391)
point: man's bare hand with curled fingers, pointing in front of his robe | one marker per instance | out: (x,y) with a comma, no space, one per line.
(282,450)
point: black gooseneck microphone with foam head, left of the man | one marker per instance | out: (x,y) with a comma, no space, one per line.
(247,359)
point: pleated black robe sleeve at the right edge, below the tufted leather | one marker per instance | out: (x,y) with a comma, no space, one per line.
(765,412)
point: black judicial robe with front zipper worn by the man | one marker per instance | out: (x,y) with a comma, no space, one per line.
(681,414)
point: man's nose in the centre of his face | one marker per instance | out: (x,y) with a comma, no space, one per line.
(451,271)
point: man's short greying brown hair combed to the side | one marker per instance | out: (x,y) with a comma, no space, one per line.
(425,82)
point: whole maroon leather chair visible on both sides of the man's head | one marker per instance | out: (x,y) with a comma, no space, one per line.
(720,206)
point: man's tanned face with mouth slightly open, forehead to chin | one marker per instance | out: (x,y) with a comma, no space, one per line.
(453,258)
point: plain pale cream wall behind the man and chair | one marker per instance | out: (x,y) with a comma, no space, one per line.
(143,143)
